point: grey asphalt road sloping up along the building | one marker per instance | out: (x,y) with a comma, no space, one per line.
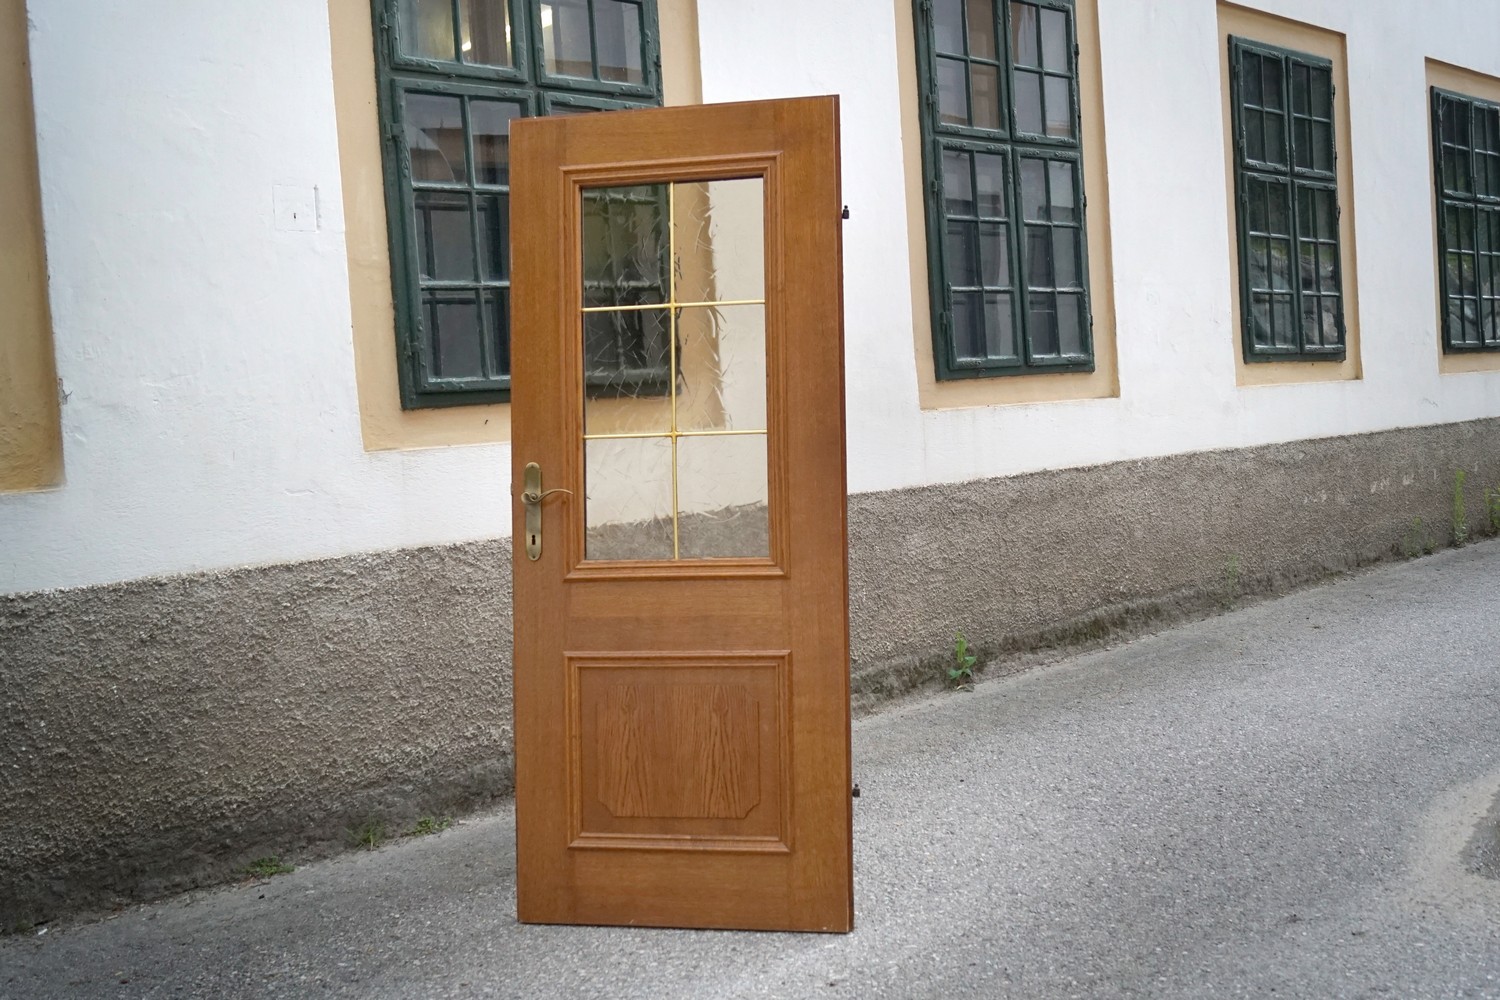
(1292,800)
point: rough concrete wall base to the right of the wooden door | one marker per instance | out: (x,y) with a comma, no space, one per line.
(1076,554)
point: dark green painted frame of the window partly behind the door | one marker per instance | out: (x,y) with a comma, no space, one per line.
(536,92)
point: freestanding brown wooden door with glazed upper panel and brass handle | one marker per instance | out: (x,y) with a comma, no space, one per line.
(682,602)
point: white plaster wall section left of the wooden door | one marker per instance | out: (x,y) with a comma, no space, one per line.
(211,416)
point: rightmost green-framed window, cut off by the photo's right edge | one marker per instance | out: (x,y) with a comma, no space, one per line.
(1468,169)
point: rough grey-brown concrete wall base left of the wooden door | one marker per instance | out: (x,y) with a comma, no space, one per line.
(164,732)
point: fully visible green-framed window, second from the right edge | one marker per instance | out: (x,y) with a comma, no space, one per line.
(1288,205)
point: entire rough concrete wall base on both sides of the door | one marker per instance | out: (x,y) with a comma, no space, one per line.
(163,732)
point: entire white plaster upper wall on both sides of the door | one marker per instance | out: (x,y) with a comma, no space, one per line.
(212,415)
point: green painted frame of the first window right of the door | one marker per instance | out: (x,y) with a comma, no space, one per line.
(1012,148)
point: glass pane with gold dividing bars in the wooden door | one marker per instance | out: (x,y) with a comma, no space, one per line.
(676,395)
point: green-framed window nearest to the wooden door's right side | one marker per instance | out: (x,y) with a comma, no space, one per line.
(1004,182)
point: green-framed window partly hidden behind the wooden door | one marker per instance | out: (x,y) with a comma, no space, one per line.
(454,74)
